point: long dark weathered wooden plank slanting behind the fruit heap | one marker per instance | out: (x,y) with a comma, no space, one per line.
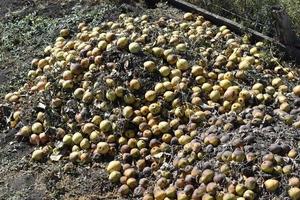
(219,20)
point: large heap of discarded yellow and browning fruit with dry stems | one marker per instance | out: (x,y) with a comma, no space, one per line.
(181,108)
